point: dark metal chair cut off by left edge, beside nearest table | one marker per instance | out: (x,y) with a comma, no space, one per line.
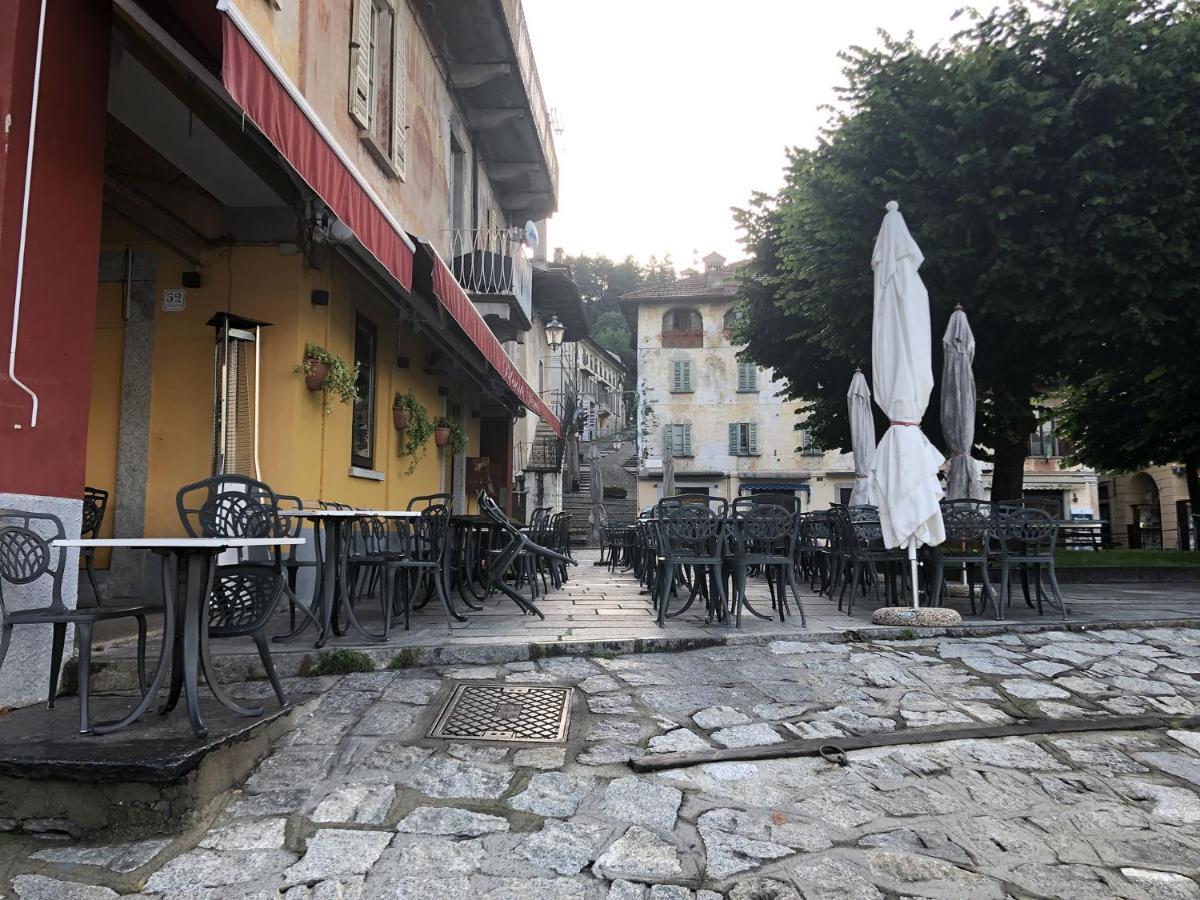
(27,557)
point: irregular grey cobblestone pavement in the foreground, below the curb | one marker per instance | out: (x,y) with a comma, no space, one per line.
(357,803)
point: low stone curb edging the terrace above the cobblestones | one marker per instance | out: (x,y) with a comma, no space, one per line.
(118,674)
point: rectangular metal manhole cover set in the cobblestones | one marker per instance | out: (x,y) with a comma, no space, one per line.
(506,712)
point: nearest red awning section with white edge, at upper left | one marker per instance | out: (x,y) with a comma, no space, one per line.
(281,115)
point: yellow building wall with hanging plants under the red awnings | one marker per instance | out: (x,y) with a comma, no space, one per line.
(303,451)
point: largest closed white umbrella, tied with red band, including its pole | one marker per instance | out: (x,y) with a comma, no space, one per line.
(904,478)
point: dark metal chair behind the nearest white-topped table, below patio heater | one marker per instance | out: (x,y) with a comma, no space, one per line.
(245,593)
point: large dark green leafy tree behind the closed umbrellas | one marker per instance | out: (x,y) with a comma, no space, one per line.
(1048,164)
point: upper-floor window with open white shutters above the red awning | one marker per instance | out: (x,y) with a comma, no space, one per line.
(379,82)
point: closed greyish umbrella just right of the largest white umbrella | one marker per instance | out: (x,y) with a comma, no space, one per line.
(963,481)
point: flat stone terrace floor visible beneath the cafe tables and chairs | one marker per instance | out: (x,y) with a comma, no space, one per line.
(598,611)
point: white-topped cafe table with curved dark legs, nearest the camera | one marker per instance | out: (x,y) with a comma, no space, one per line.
(185,617)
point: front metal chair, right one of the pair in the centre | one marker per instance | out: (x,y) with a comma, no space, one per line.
(764,536)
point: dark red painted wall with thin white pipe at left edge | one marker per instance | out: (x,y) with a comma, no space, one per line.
(63,244)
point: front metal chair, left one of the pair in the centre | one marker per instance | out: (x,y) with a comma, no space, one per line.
(692,537)
